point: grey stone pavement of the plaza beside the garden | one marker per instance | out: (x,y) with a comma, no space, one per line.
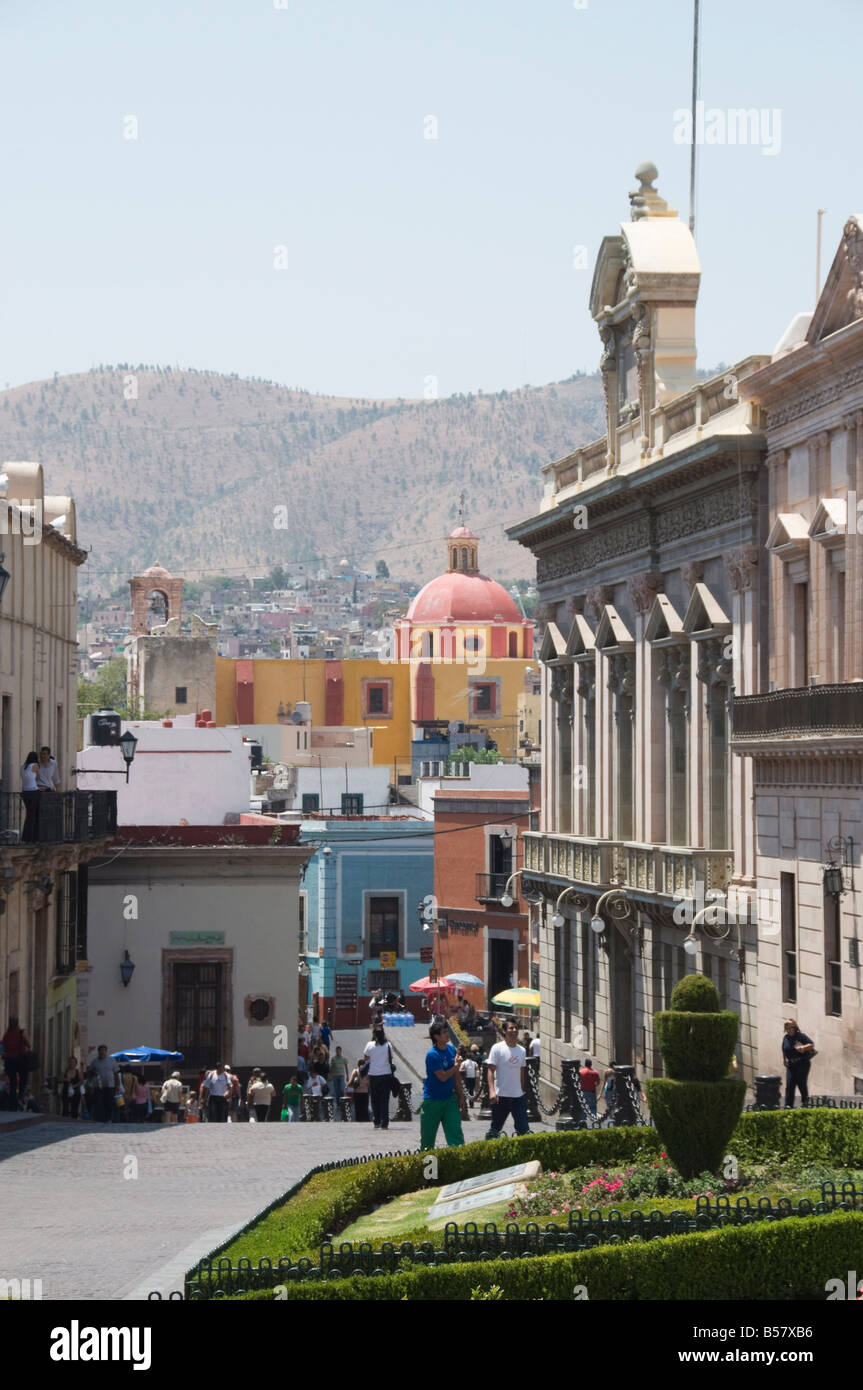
(115,1211)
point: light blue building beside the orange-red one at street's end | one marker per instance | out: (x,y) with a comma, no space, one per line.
(358,906)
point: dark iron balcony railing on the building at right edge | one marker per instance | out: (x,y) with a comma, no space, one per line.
(805,711)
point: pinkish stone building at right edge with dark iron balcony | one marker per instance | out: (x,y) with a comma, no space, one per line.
(803,735)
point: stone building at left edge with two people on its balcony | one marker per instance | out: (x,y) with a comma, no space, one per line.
(44,858)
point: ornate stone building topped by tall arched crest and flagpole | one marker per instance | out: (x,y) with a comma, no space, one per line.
(647,548)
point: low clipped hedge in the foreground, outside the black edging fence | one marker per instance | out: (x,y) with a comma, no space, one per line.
(773,1261)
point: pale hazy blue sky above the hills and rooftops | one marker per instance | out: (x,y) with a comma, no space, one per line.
(406,258)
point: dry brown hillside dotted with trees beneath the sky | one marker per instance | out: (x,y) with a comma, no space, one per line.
(191,472)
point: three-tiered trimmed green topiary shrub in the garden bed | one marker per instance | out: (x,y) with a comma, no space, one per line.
(697,1109)
